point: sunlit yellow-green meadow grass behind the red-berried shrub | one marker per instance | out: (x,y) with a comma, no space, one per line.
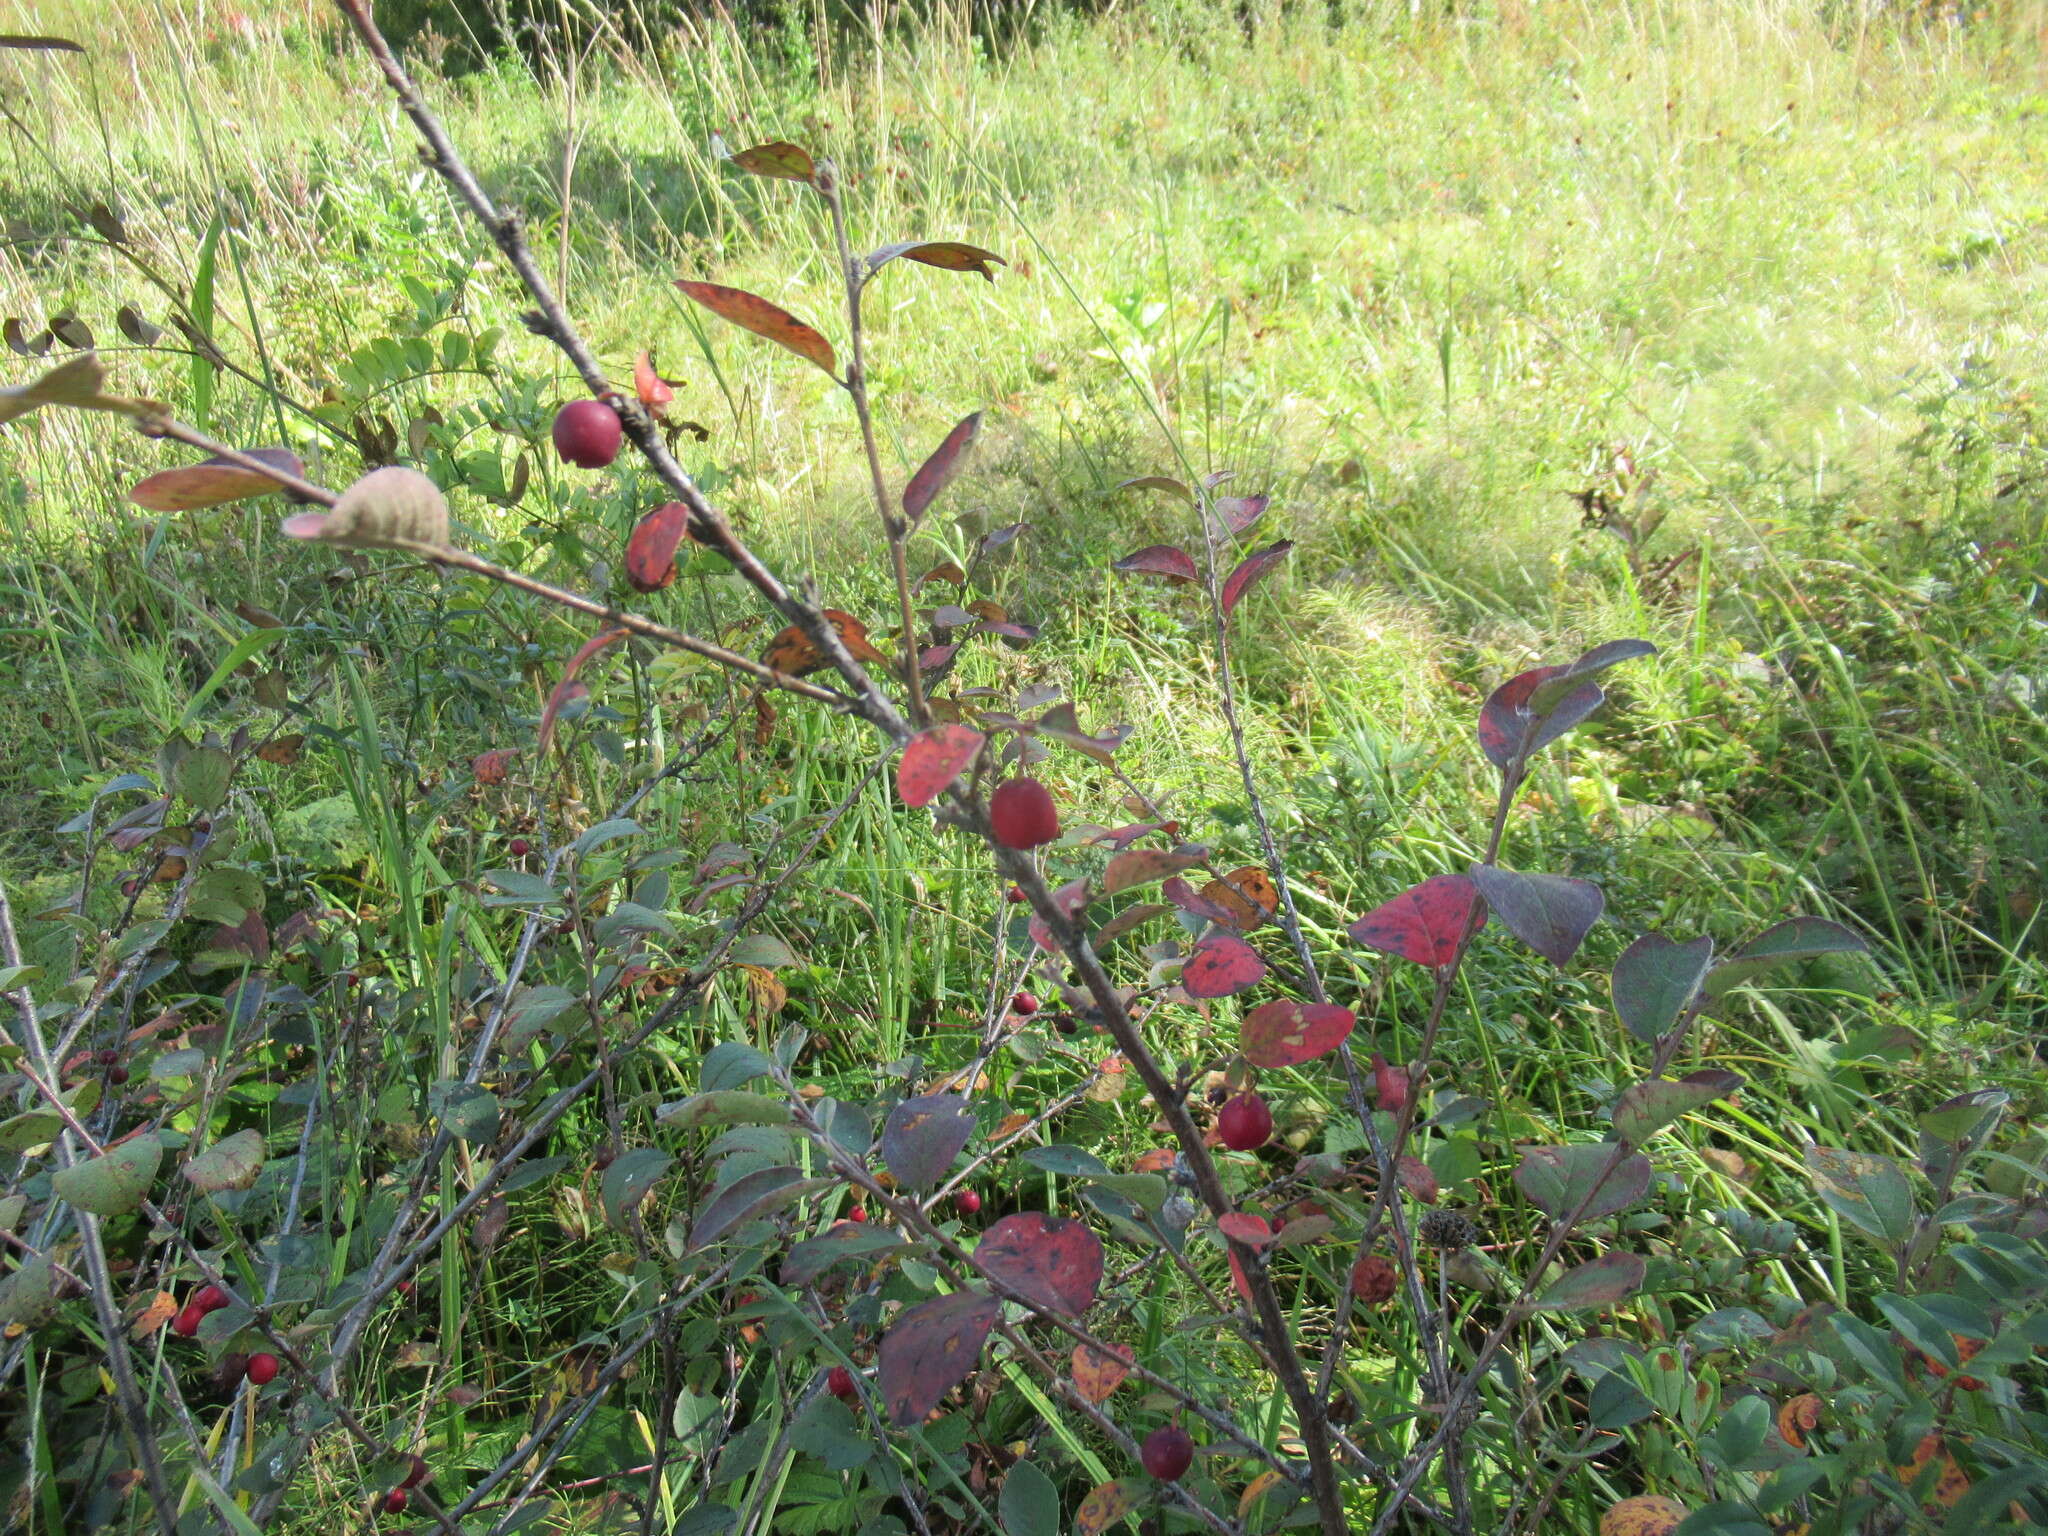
(1420,280)
